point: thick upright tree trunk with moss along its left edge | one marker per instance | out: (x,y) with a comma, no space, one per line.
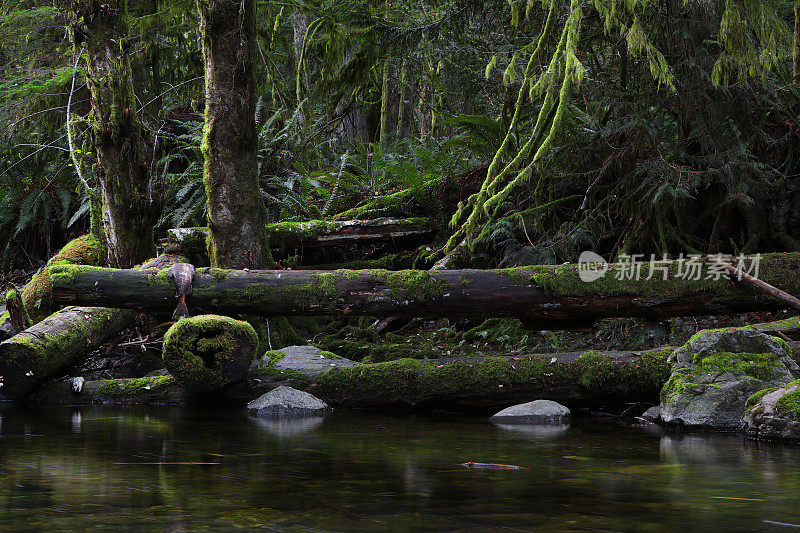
(237,218)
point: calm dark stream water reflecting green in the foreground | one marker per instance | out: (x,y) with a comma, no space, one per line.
(107,469)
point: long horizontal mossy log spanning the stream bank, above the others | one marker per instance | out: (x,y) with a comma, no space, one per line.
(539,295)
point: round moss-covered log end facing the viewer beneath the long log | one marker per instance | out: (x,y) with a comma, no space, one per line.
(206,352)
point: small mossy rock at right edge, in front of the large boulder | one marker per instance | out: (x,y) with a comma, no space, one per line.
(771,419)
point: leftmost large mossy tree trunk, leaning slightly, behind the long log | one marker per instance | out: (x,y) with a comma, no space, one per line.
(118,136)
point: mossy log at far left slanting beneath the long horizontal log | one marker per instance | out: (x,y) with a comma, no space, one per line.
(62,340)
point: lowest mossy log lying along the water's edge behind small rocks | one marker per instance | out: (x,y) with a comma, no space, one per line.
(479,383)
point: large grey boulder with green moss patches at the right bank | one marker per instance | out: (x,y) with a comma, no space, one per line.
(715,373)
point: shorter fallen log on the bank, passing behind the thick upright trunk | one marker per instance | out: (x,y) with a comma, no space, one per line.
(314,233)
